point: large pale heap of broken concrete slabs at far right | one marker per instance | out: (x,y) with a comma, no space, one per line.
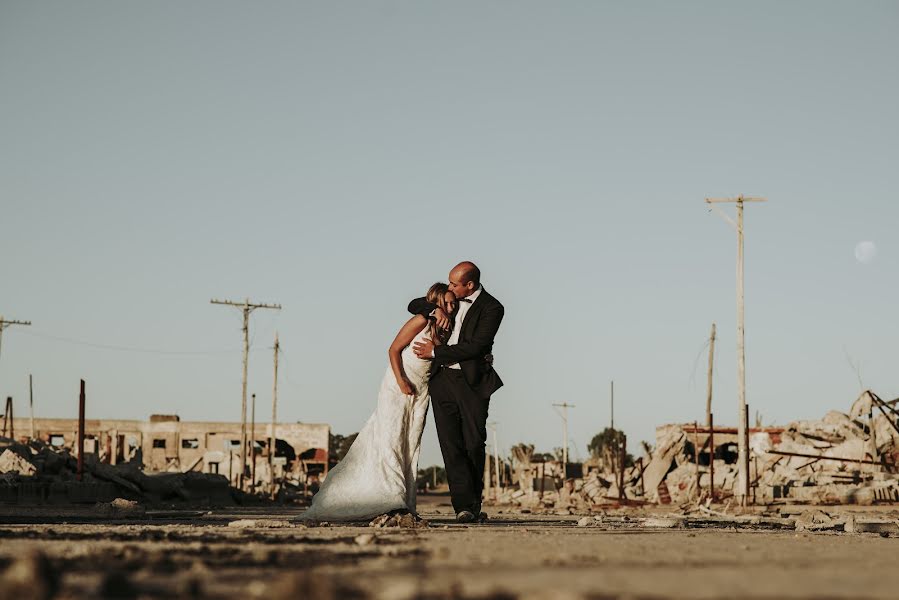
(839,459)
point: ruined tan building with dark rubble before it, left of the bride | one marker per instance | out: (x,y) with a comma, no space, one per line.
(135,457)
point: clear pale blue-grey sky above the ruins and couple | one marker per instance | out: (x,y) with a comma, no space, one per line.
(340,157)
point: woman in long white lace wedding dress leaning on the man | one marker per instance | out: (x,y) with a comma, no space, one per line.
(378,474)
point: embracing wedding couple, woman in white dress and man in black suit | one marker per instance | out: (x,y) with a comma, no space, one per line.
(442,354)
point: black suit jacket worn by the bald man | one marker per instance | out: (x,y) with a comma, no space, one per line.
(475,342)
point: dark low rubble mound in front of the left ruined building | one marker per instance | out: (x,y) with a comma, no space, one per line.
(38,473)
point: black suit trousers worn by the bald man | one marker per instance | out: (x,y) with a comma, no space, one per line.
(461,418)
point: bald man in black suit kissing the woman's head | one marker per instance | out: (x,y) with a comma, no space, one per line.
(462,381)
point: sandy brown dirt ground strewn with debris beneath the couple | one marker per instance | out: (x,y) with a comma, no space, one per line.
(78,554)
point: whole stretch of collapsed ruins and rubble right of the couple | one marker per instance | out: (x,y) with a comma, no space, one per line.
(842,458)
